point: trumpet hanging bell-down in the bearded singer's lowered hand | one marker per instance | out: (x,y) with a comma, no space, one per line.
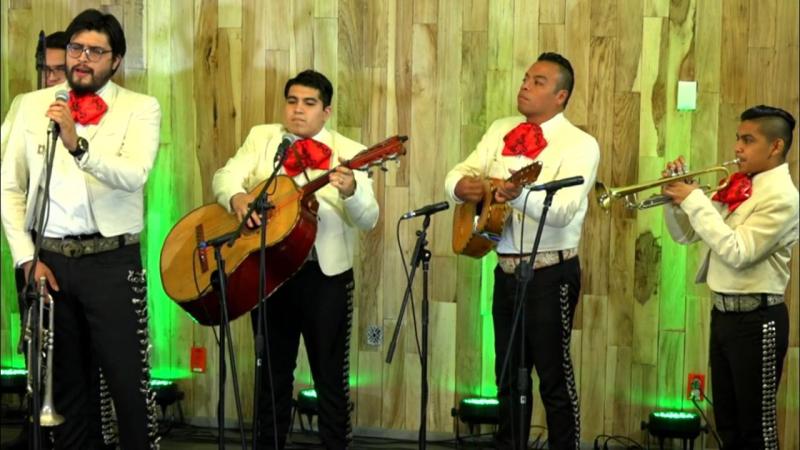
(48,417)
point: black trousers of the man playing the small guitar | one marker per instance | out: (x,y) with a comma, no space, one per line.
(550,306)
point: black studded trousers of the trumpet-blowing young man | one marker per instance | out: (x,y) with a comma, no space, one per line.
(746,354)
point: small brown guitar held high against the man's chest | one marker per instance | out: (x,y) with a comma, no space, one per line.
(478,226)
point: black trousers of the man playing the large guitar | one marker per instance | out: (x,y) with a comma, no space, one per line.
(320,308)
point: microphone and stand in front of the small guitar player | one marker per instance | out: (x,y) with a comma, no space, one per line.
(524,274)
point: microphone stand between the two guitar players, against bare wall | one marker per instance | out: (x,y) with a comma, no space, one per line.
(421,253)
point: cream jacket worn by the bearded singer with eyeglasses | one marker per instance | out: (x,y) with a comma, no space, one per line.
(122,149)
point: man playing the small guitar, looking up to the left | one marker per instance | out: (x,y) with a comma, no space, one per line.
(543,134)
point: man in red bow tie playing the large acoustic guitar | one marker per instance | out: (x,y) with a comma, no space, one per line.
(317,302)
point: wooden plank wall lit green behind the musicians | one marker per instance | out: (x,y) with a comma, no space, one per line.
(440,71)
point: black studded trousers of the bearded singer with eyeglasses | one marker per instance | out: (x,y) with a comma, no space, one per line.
(101,318)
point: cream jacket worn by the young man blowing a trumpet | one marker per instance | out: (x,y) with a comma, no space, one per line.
(749,249)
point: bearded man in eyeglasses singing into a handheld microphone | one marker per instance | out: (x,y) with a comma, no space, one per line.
(90,255)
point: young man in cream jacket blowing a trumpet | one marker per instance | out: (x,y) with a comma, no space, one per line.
(749,228)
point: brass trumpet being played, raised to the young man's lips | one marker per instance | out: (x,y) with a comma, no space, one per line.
(606,195)
